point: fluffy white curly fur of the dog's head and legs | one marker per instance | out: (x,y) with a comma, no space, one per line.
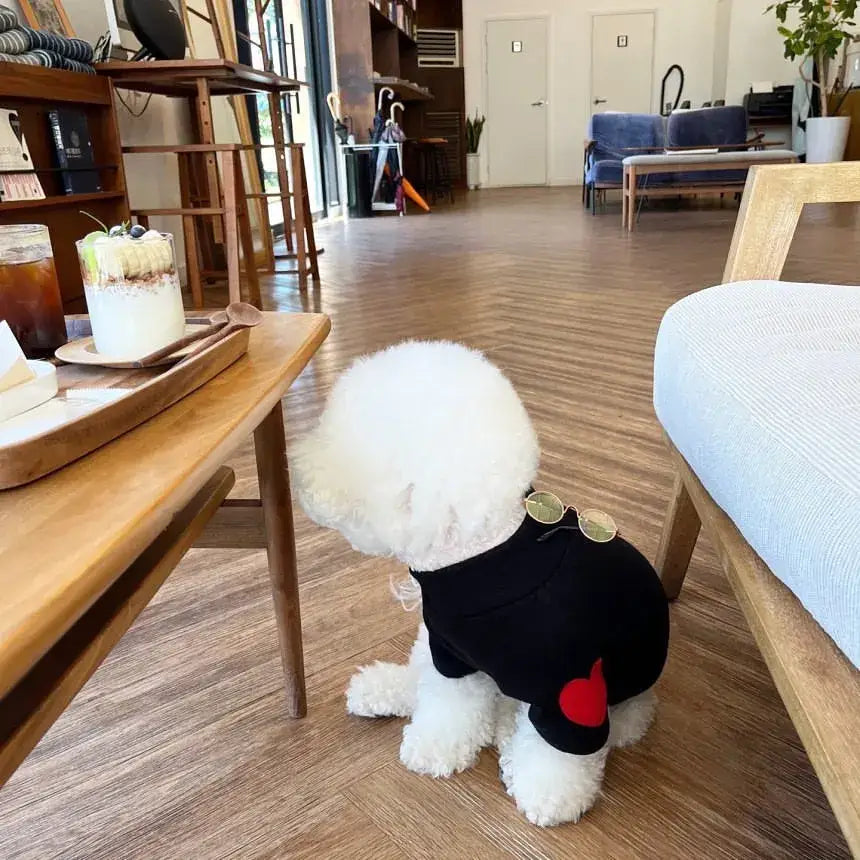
(423,453)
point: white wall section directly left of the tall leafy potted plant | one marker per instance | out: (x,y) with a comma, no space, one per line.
(755,50)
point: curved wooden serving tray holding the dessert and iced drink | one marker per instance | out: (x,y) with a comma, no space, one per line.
(97,404)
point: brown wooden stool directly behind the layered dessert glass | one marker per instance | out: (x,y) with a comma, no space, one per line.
(231,215)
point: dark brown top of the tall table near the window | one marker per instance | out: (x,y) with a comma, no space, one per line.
(179,77)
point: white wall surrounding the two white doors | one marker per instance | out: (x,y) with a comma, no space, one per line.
(684,34)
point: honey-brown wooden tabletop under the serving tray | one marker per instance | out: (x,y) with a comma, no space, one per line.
(66,538)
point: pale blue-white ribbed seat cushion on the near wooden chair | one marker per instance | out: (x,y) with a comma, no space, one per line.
(758,386)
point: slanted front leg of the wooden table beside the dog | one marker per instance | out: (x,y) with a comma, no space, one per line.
(271,450)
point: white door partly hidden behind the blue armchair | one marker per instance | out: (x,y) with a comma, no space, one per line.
(622,62)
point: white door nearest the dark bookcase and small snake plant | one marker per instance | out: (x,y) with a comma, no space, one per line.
(516,102)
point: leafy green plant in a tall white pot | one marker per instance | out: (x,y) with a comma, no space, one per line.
(823,26)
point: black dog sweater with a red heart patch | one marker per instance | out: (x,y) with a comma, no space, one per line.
(566,624)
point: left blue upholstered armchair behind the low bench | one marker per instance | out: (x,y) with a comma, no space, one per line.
(612,137)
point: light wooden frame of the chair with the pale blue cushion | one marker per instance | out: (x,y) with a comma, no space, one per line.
(818,684)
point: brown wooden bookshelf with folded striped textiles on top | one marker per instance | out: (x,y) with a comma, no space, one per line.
(33,91)
